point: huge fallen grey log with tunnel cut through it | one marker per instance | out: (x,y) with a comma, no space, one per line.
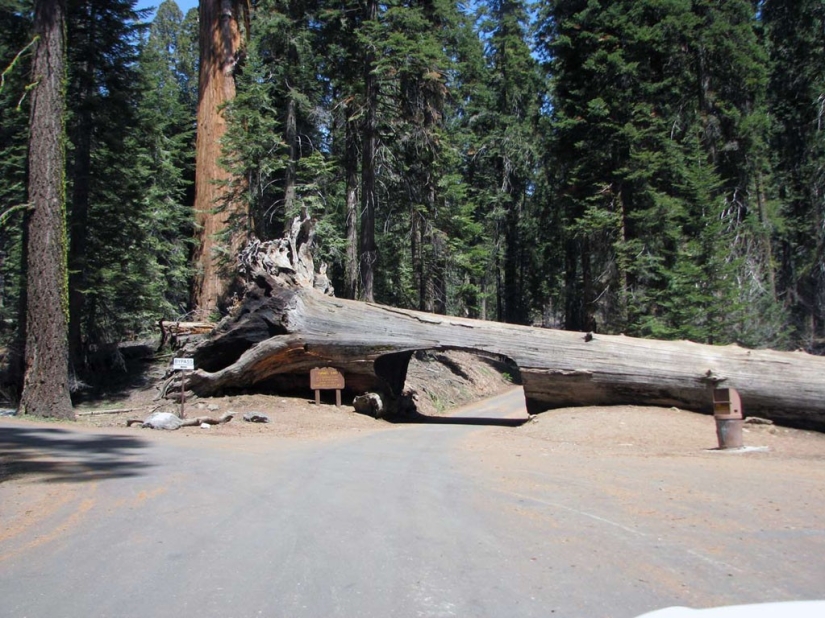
(280,334)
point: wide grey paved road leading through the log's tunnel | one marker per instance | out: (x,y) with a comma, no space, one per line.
(407,522)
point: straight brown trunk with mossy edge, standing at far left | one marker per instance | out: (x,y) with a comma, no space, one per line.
(46,380)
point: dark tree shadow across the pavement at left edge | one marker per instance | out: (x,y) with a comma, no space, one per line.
(54,455)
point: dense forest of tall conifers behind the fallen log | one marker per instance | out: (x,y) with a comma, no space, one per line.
(648,167)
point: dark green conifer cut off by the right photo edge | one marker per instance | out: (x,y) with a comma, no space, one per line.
(795,34)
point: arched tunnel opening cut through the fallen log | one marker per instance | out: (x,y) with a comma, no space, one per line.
(448,385)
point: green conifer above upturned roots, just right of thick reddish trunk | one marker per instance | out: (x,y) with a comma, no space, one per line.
(276,142)
